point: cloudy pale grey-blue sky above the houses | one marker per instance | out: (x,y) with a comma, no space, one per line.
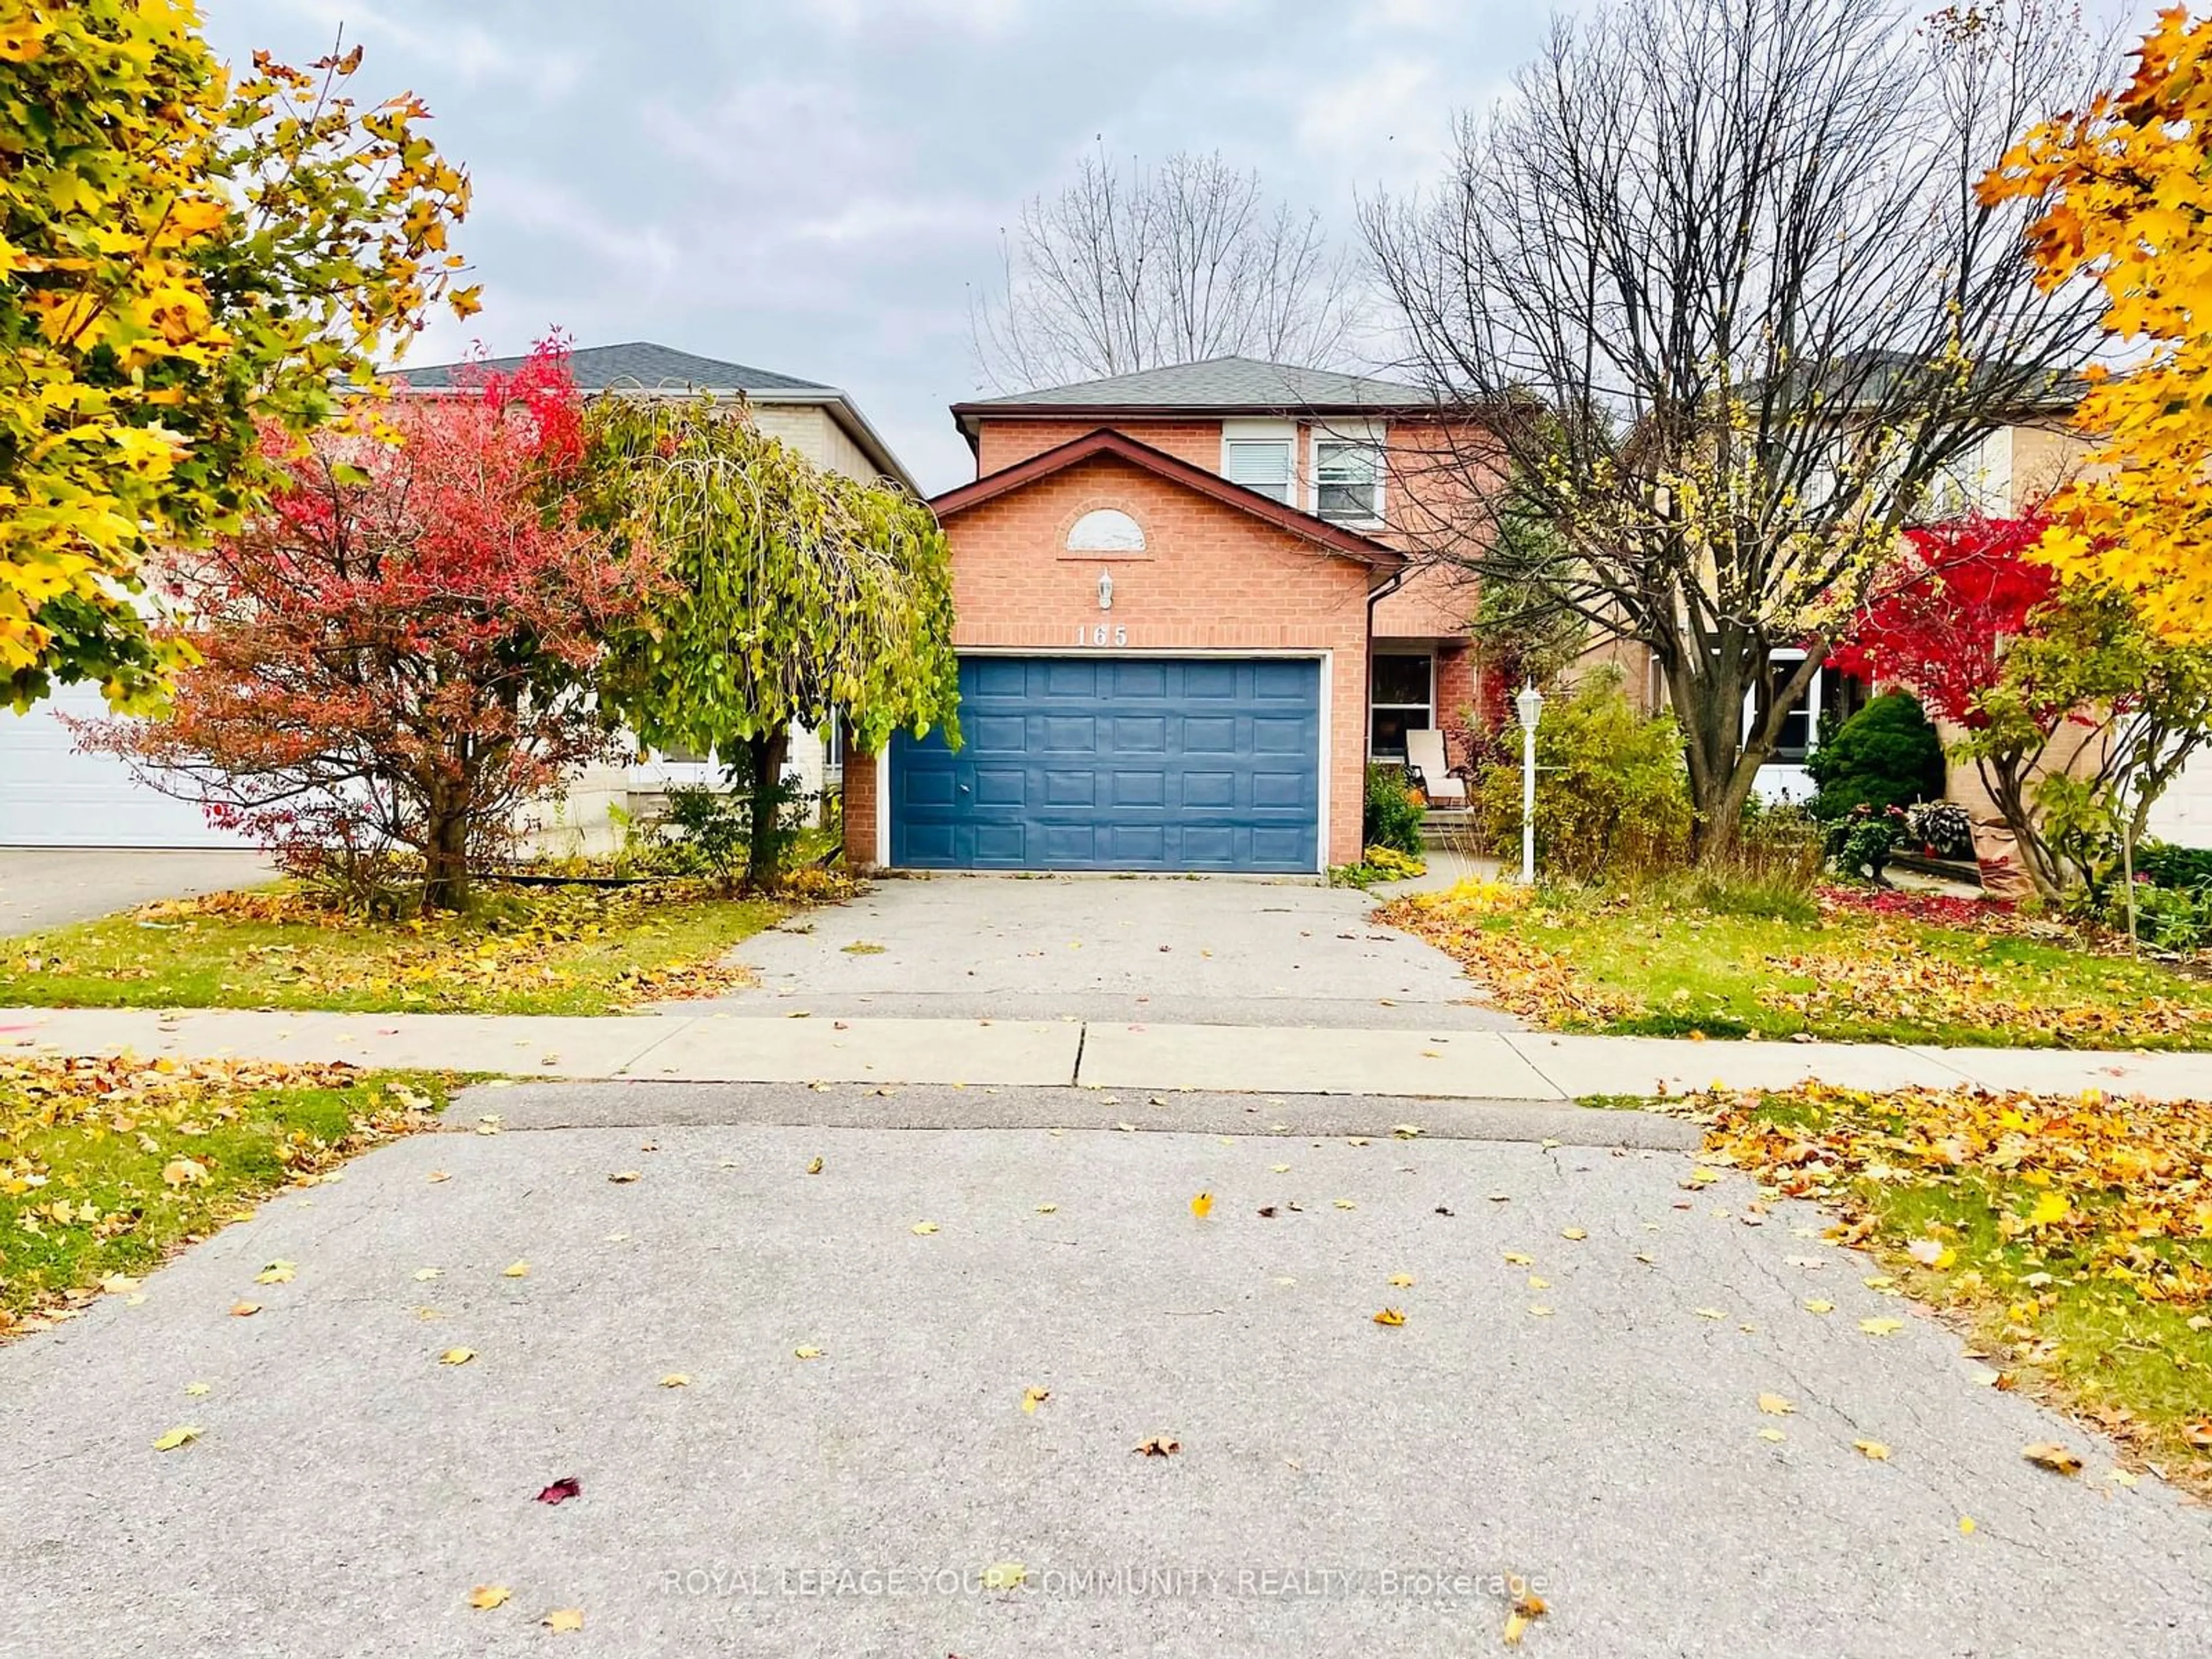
(815,187)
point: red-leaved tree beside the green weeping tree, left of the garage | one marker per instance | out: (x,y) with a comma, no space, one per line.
(399,654)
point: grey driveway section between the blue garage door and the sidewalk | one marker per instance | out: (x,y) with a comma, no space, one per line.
(1054,948)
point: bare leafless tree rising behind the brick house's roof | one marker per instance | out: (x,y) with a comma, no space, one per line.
(1171,264)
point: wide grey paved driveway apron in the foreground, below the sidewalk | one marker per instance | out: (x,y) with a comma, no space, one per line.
(1339,1485)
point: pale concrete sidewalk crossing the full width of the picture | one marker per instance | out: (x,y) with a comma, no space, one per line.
(1269,1061)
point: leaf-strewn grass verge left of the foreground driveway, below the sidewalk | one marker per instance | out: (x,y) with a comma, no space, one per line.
(109,1167)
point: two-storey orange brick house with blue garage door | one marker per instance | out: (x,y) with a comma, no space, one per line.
(1185,620)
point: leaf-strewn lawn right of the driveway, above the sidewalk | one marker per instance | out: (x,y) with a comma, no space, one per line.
(1658,966)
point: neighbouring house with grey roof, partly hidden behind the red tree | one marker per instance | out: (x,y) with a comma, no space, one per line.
(54,797)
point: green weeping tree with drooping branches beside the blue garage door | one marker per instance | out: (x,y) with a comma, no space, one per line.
(795,598)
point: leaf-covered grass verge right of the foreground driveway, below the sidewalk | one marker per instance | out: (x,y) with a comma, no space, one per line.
(2067,1238)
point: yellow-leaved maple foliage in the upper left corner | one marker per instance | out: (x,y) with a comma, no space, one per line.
(189,262)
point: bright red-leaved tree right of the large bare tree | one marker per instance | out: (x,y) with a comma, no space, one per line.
(1941,623)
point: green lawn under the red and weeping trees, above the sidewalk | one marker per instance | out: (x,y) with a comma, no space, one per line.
(525,950)
